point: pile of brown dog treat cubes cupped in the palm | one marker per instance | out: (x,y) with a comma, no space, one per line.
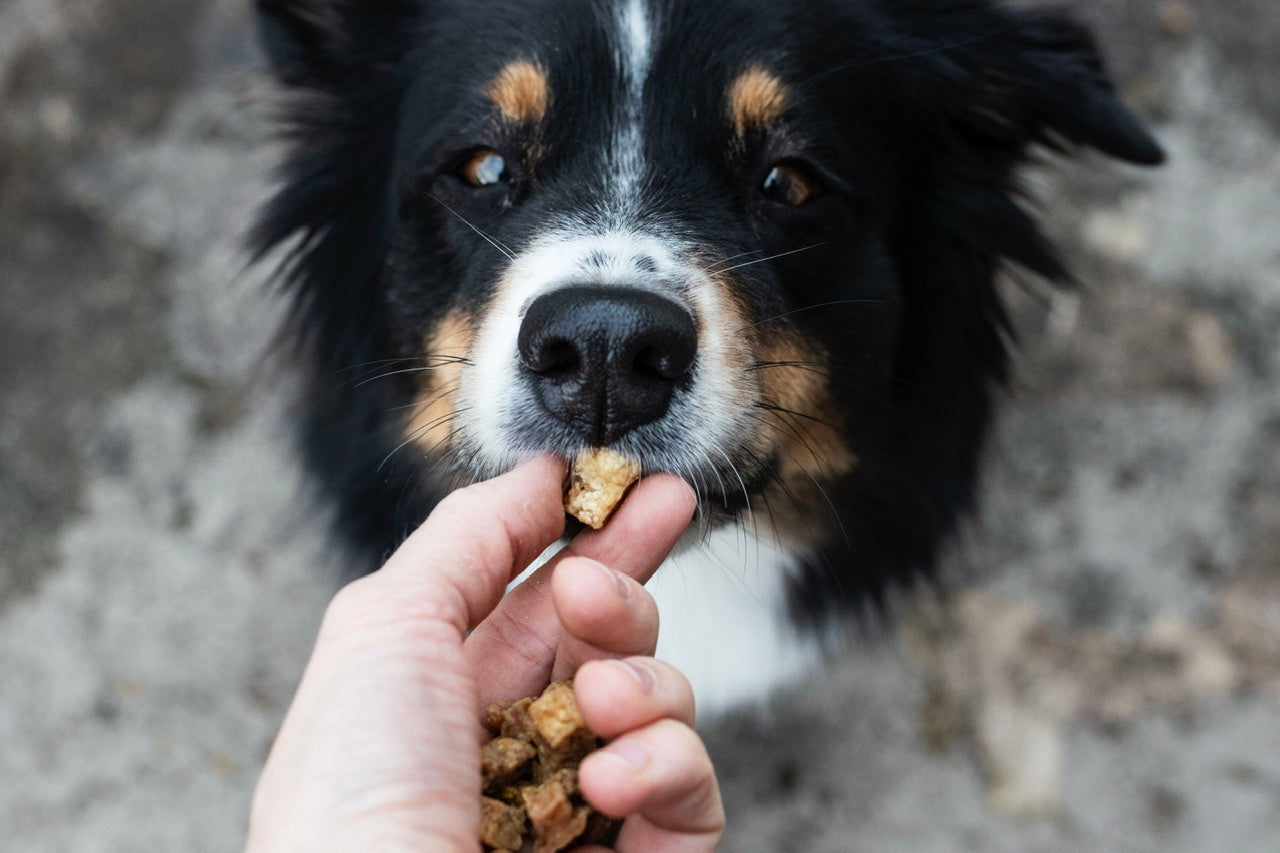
(529,773)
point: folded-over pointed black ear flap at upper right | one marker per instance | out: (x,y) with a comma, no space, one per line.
(1039,77)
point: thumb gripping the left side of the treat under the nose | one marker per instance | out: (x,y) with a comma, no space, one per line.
(477,541)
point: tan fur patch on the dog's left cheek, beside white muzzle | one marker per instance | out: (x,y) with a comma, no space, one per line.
(432,423)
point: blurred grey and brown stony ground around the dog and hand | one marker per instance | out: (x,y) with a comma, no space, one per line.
(1105,673)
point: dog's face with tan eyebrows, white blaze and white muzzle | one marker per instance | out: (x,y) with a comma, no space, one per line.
(616,232)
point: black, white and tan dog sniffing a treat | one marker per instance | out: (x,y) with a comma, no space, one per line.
(751,244)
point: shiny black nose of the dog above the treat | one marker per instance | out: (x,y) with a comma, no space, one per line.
(607,359)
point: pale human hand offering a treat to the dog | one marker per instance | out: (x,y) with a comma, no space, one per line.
(381,749)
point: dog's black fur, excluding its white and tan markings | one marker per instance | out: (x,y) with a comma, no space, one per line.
(916,116)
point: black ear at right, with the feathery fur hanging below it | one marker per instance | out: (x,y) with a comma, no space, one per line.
(1007,81)
